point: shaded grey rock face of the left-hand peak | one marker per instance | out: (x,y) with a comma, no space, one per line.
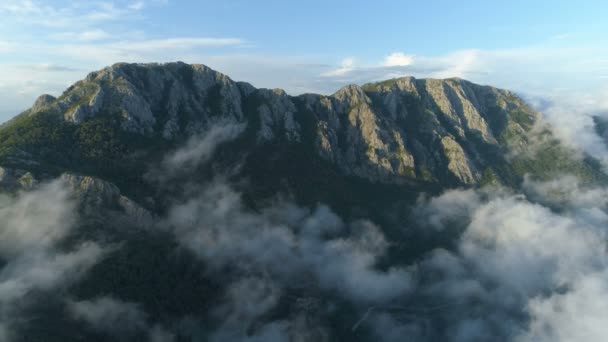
(177,98)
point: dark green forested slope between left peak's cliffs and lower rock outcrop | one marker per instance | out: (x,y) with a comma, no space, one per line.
(44,143)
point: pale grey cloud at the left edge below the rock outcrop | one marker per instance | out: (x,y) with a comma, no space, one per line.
(33,226)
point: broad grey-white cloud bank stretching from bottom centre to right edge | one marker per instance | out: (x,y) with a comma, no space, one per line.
(524,267)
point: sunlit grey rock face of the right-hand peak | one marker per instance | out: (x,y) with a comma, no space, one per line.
(413,129)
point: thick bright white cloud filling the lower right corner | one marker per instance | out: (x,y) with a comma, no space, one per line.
(518,272)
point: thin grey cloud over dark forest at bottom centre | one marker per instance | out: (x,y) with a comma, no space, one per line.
(282,249)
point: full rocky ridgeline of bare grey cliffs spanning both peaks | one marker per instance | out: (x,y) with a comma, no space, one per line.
(405,128)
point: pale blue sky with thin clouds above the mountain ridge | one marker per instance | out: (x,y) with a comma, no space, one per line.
(535,47)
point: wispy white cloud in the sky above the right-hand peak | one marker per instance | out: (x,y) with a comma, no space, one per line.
(532,69)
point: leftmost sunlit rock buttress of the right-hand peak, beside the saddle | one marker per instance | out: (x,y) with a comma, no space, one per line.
(350,133)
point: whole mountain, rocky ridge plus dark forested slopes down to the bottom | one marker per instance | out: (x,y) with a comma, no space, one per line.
(142,149)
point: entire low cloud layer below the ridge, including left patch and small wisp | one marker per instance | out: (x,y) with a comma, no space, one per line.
(526,265)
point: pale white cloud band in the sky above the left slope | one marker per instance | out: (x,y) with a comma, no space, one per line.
(83,54)
